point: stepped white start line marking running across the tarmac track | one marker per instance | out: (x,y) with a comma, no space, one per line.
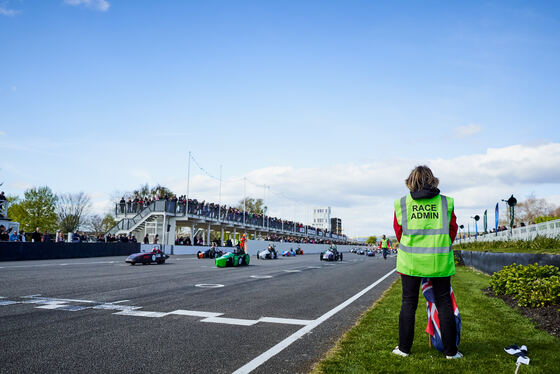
(133,311)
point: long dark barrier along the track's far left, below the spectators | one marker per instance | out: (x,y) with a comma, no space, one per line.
(17,251)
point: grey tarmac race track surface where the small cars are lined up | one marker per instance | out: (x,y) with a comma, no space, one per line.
(40,333)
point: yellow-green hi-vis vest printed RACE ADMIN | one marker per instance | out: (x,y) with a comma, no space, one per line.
(425,246)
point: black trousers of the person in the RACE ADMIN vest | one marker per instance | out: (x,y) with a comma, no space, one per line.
(410,293)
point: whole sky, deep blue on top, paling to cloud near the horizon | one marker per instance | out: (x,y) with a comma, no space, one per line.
(329,103)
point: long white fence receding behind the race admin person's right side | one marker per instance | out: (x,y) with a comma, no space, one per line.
(549,229)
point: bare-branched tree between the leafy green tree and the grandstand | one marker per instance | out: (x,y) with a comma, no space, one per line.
(71,210)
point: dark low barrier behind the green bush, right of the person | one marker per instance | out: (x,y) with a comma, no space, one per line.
(490,262)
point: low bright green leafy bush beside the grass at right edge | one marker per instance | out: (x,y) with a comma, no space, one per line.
(530,285)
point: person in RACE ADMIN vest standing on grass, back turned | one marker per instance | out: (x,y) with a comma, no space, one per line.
(426,226)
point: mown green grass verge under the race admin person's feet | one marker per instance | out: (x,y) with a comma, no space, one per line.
(489,325)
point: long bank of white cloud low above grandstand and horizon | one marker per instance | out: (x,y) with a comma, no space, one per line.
(362,195)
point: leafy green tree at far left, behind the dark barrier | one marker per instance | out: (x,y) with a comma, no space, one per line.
(37,209)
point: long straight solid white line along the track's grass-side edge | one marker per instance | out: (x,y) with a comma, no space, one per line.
(267,355)
